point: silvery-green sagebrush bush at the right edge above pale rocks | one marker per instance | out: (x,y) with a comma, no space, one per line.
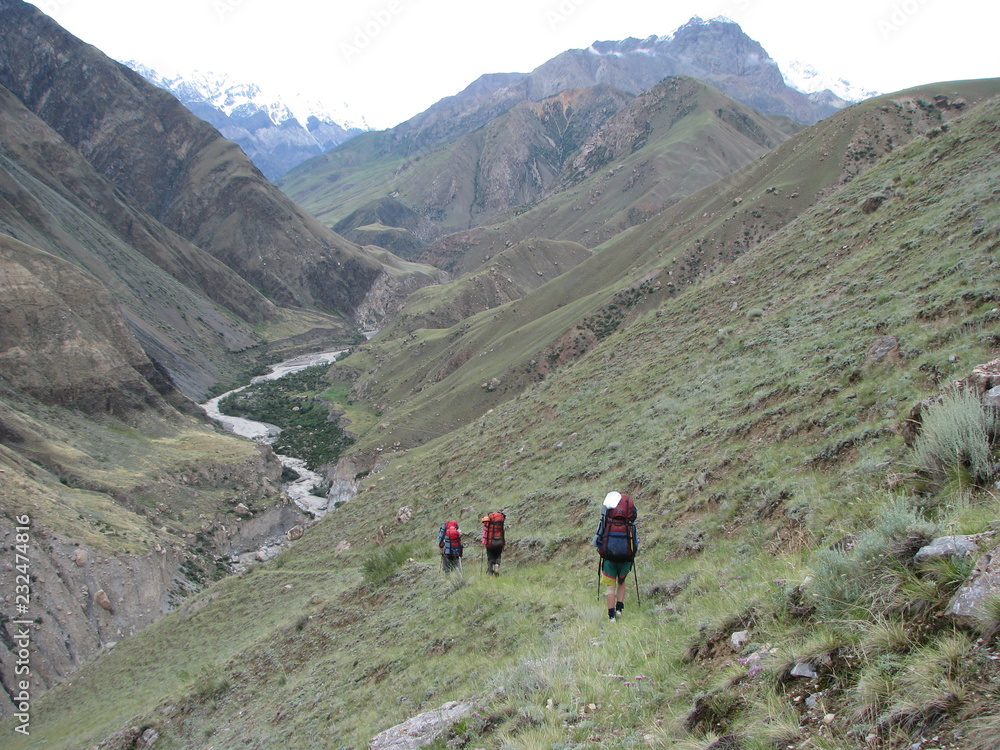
(953,447)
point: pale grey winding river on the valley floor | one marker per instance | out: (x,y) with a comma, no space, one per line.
(300,490)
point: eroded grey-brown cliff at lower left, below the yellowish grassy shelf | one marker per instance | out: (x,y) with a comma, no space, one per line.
(87,597)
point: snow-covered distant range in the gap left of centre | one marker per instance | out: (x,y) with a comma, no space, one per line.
(276,134)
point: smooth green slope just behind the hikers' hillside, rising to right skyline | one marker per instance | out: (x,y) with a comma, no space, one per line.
(434,373)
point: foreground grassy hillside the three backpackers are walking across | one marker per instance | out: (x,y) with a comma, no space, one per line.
(742,416)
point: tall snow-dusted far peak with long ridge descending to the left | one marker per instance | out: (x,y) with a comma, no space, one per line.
(715,52)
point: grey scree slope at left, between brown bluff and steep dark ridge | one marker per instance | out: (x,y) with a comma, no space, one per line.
(180,301)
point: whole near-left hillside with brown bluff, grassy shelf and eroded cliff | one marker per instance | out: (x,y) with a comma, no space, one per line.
(130,497)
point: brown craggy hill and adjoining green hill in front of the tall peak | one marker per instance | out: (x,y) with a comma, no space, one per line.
(581,166)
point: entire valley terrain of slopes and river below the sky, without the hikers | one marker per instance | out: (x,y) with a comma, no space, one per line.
(648,266)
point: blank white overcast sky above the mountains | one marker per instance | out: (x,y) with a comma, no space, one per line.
(390,59)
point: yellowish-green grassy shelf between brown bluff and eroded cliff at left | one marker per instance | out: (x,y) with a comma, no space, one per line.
(80,466)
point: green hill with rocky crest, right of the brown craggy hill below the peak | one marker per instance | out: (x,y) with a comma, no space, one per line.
(668,143)
